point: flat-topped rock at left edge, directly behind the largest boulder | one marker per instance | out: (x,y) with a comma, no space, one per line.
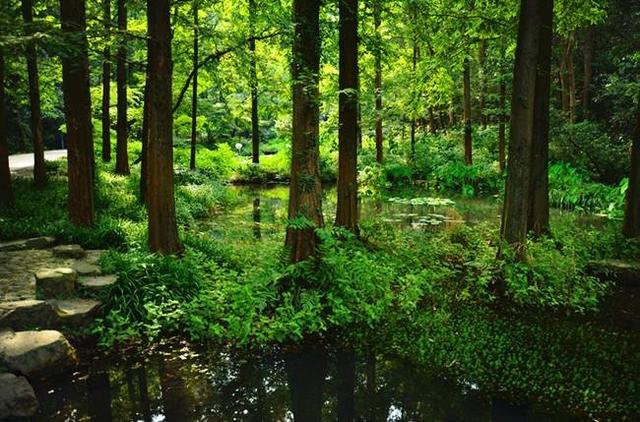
(23,314)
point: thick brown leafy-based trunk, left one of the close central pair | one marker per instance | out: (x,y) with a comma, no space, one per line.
(305,195)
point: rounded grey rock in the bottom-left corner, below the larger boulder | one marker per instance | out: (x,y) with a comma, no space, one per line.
(17,398)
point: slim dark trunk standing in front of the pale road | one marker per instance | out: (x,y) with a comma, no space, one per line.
(39,172)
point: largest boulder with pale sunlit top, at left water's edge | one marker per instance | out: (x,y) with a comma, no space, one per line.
(37,353)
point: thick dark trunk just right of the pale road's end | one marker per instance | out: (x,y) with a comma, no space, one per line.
(77,111)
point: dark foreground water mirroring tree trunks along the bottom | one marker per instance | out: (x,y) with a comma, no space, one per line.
(178,384)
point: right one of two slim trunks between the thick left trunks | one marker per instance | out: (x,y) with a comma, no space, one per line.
(122,153)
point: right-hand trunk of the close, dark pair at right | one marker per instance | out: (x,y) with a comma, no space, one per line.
(538,221)
